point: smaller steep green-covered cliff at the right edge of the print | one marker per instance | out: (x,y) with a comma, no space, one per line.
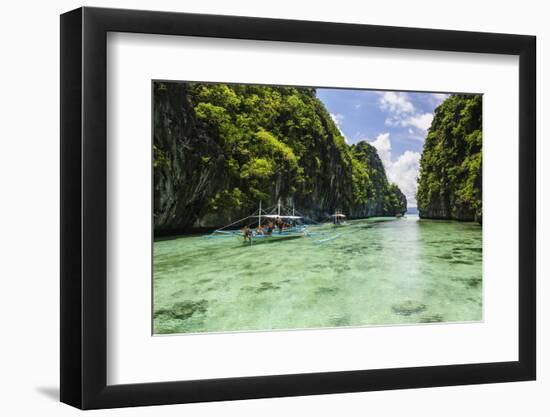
(450,181)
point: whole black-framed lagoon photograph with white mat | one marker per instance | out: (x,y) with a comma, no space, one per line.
(257,208)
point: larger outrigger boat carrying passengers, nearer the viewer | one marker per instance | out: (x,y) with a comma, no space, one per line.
(265,226)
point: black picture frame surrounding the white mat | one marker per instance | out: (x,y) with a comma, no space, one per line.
(84,207)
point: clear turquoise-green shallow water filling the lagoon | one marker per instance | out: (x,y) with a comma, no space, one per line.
(378,271)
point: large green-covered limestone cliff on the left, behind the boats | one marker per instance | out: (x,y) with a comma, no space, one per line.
(220,149)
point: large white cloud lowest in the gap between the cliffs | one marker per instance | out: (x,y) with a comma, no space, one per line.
(403,171)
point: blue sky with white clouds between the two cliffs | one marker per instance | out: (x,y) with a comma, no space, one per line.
(394,122)
